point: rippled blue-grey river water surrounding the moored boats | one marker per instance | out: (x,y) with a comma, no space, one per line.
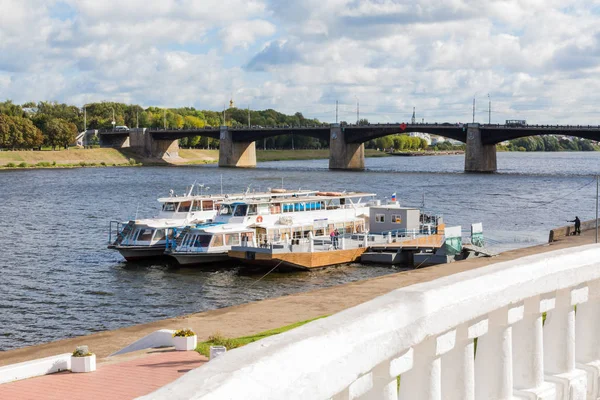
(58,279)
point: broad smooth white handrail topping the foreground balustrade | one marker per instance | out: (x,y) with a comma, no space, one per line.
(322,358)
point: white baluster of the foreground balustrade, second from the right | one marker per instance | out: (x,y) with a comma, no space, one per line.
(559,349)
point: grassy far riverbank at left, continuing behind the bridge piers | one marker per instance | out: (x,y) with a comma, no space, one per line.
(108,157)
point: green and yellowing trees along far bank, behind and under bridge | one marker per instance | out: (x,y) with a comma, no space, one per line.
(56,125)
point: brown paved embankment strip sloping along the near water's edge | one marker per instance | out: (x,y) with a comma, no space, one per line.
(251,318)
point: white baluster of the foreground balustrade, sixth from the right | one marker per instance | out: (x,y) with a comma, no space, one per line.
(423,381)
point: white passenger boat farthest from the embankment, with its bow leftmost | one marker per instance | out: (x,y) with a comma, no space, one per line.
(148,238)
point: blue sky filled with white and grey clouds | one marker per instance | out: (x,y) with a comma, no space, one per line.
(537,60)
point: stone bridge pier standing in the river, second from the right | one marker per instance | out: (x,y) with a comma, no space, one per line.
(343,155)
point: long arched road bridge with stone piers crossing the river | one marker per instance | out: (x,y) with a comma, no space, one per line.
(346,143)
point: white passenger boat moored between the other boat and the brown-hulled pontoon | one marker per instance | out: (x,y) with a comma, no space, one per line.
(259,221)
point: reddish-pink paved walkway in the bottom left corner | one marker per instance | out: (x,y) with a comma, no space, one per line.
(119,381)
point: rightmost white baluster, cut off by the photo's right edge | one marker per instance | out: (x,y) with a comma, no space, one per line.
(587,339)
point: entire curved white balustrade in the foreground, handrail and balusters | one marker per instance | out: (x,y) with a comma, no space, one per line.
(425,335)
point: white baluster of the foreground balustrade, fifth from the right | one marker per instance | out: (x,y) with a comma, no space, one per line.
(458,369)
